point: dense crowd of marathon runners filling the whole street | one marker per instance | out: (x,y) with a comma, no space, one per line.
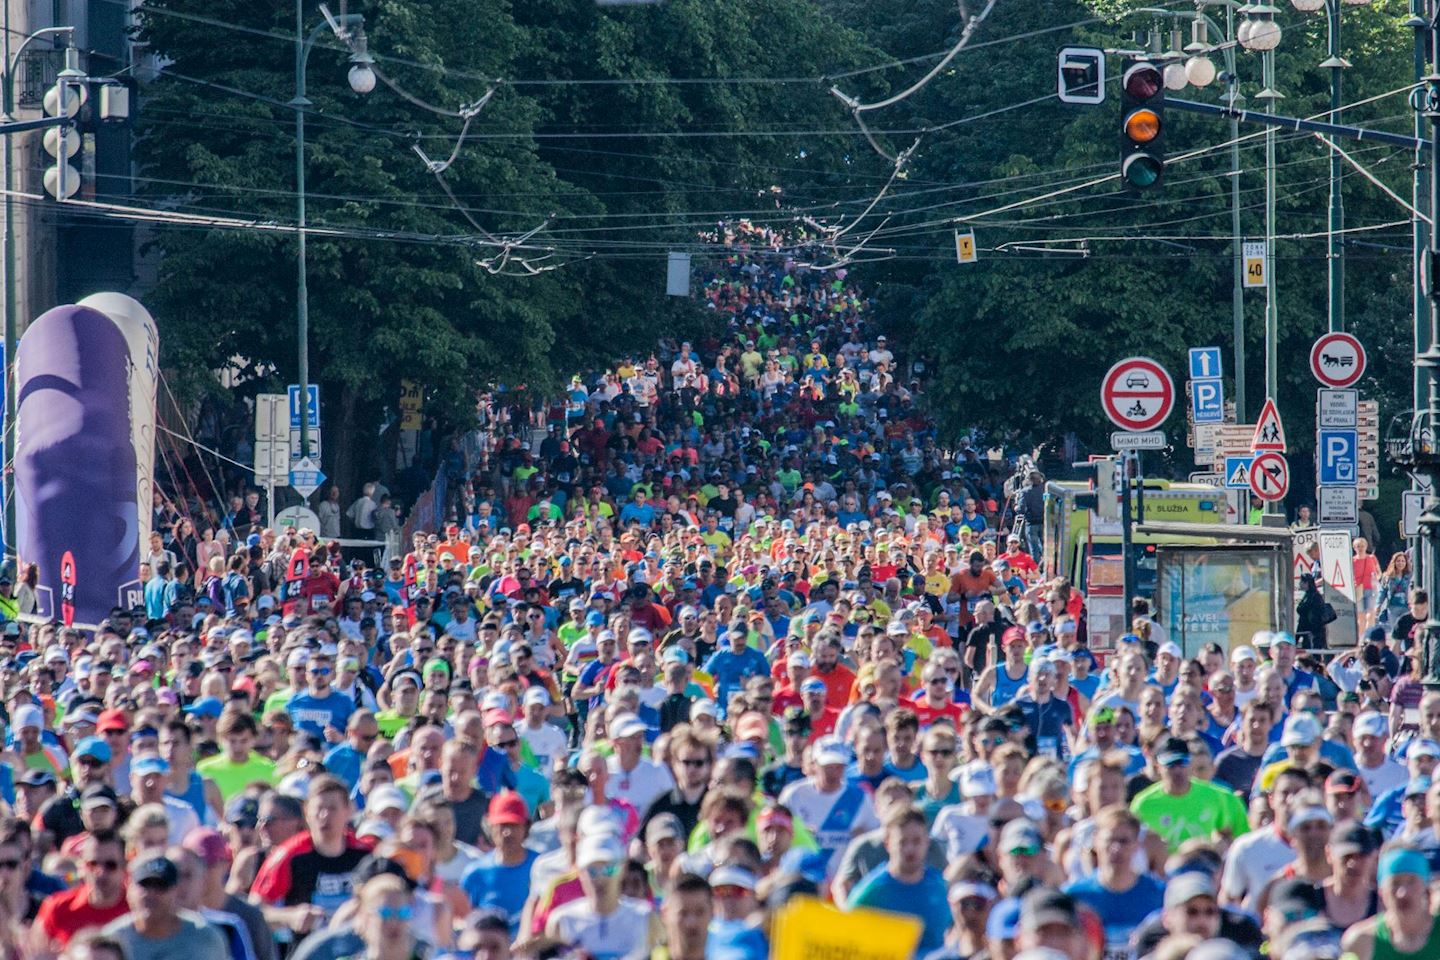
(735,631)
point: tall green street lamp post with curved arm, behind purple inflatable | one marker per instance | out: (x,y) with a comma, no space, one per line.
(351,30)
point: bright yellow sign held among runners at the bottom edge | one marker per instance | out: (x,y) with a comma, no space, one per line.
(809,929)
